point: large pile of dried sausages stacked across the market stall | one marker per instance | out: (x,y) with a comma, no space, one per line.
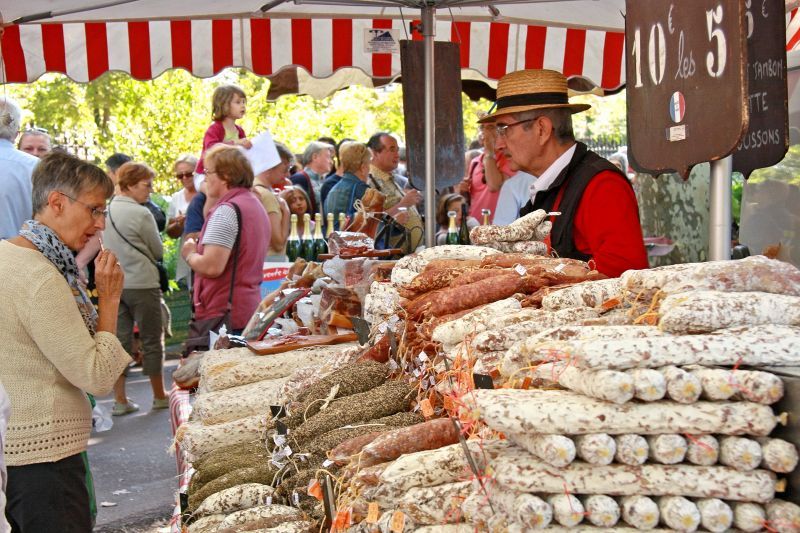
(507,391)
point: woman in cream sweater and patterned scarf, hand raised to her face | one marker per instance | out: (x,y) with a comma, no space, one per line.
(55,346)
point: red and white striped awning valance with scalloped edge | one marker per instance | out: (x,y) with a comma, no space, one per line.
(145,49)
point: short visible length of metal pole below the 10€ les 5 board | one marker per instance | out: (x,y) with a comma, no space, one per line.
(719,227)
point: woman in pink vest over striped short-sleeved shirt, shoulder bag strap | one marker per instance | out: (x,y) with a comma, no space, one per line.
(237,216)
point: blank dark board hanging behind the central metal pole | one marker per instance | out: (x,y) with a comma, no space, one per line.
(449,123)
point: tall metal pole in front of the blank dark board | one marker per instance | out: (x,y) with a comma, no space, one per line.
(428,33)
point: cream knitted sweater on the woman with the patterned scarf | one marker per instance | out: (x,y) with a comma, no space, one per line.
(48,360)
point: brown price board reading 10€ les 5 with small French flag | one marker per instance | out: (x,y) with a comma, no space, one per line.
(686,82)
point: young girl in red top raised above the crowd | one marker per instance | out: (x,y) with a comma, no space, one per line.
(228,104)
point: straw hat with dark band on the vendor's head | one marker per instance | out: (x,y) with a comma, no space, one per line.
(524,90)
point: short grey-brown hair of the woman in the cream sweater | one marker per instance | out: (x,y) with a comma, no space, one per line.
(65,173)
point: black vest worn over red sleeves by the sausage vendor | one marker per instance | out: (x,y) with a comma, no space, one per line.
(574,179)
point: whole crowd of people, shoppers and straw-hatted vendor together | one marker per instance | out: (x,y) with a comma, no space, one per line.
(82,251)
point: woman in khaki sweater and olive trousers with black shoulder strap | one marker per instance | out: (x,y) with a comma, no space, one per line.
(132,234)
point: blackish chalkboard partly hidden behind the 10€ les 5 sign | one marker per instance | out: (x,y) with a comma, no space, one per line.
(767,138)
